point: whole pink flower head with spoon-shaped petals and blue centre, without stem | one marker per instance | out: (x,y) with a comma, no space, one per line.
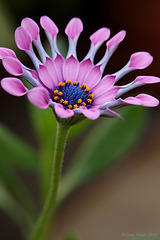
(69,86)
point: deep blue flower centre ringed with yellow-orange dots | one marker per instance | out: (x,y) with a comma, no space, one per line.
(72,95)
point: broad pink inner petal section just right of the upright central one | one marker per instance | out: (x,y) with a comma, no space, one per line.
(84,68)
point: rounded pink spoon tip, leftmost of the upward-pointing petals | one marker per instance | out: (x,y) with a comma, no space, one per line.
(23,38)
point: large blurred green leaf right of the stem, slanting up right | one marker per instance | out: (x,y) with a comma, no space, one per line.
(107,143)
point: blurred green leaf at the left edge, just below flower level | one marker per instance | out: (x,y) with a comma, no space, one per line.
(16,152)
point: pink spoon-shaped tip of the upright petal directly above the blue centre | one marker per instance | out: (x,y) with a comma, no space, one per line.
(74,27)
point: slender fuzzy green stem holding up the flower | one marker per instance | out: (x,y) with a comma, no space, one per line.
(39,232)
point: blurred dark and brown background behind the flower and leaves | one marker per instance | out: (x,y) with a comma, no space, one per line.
(124,200)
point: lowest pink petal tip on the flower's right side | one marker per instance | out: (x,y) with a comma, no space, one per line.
(143,100)
